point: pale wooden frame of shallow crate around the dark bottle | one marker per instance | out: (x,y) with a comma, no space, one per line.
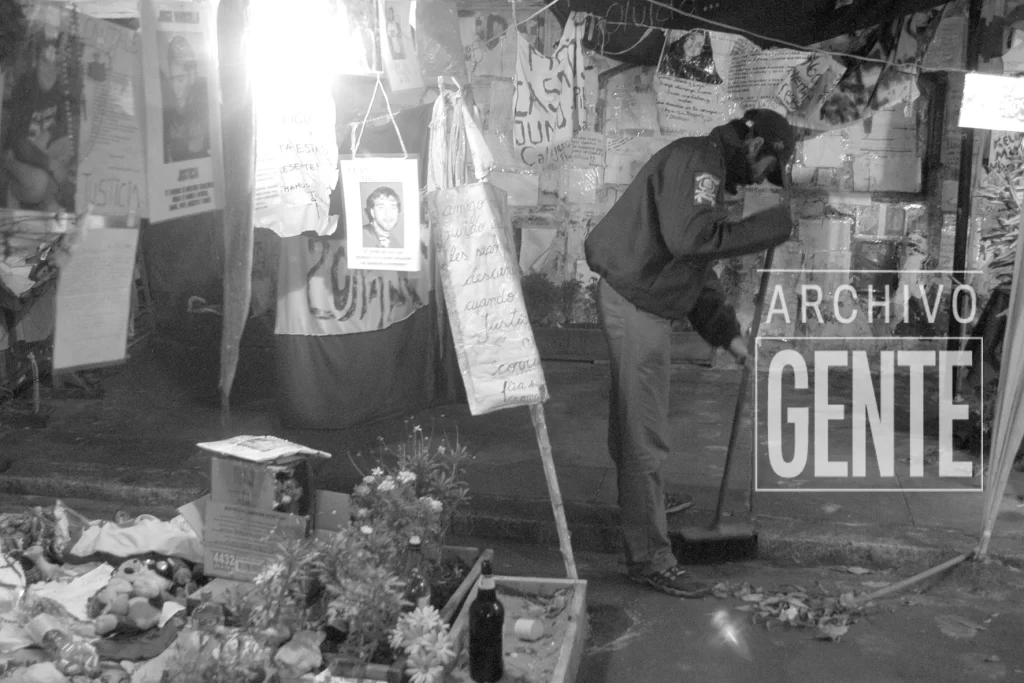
(576,637)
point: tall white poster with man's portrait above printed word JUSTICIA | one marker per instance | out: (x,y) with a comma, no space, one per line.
(183,111)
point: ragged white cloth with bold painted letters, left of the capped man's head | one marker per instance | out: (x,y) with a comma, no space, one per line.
(546,103)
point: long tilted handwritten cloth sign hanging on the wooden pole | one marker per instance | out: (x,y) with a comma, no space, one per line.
(500,364)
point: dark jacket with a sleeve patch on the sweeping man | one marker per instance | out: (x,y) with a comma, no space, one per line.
(658,244)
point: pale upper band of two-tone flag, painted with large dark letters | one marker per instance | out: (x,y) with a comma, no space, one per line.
(319,294)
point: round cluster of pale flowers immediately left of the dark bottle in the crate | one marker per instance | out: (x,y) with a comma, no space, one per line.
(424,637)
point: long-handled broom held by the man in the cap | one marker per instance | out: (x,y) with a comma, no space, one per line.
(735,541)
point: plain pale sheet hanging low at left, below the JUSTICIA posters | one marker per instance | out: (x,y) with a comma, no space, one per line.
(94,301)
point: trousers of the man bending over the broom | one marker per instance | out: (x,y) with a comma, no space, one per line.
(639,345)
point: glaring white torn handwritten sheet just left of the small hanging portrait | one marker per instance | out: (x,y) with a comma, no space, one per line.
(296,163)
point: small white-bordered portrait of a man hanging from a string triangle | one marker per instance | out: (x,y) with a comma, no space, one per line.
(382,212)
